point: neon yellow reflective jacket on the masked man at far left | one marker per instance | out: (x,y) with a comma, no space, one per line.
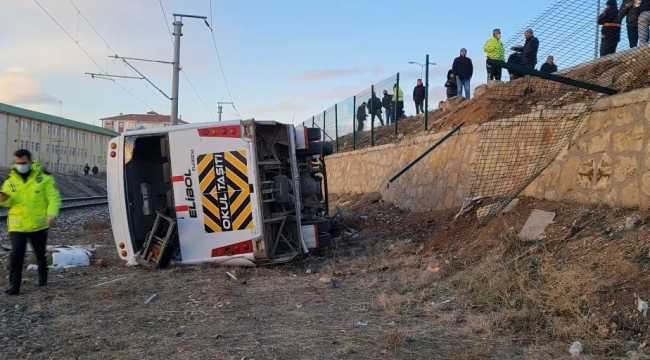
(32,201)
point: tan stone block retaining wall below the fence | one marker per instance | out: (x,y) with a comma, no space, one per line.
(607,161)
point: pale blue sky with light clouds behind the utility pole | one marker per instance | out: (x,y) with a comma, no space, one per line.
(283,60)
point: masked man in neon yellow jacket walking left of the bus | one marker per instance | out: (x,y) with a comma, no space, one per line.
(33,200)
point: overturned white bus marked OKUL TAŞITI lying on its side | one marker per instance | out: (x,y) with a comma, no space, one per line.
(242,193)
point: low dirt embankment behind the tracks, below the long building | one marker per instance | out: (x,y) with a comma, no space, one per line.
(72,185)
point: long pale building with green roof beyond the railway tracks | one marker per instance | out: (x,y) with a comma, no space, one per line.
(61,145)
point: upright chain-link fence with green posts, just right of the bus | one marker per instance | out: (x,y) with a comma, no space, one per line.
(357,122)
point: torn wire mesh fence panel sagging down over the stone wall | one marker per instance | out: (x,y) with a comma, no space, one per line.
(538,105)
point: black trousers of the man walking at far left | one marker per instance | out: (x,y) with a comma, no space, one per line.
(17,256)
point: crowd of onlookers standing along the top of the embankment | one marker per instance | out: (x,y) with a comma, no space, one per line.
(635,12)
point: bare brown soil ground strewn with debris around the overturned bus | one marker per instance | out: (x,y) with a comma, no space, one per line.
(428,288)
